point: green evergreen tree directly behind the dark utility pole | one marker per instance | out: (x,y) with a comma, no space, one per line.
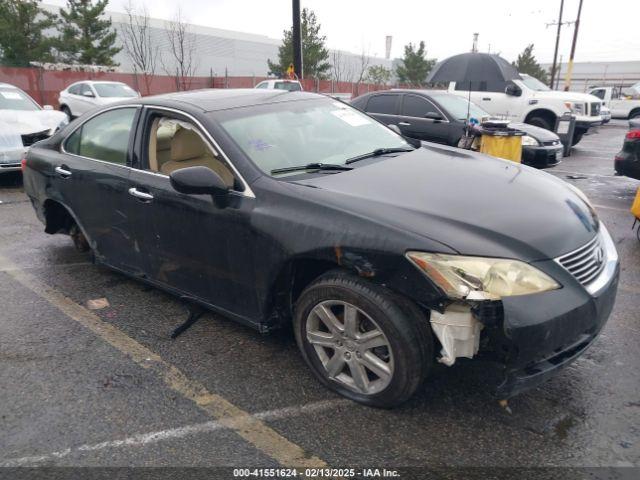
(314,52)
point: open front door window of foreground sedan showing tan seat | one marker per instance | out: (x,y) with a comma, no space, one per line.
(175,144)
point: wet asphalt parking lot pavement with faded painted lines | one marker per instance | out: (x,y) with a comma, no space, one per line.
(108,387)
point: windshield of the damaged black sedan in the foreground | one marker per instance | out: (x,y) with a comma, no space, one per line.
(289,134)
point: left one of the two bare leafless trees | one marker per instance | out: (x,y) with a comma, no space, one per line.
(138,43)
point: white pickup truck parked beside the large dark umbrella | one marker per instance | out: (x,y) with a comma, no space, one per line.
(530,101)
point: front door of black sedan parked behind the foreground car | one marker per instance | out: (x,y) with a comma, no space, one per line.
(413,122)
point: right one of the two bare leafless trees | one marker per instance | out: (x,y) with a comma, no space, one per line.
(181,62)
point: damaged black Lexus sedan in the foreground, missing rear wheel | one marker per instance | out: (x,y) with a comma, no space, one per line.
(278,208)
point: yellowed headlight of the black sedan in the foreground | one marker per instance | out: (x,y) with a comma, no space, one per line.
(478,278)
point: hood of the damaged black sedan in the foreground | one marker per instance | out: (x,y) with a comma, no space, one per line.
(474,204)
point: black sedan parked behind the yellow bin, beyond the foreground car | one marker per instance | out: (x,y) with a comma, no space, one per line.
(440,117)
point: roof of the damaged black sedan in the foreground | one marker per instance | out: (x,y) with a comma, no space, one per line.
(214,99)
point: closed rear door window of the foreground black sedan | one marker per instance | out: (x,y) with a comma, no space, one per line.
(105,137)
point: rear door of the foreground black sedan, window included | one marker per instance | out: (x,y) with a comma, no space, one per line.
(91,174)
